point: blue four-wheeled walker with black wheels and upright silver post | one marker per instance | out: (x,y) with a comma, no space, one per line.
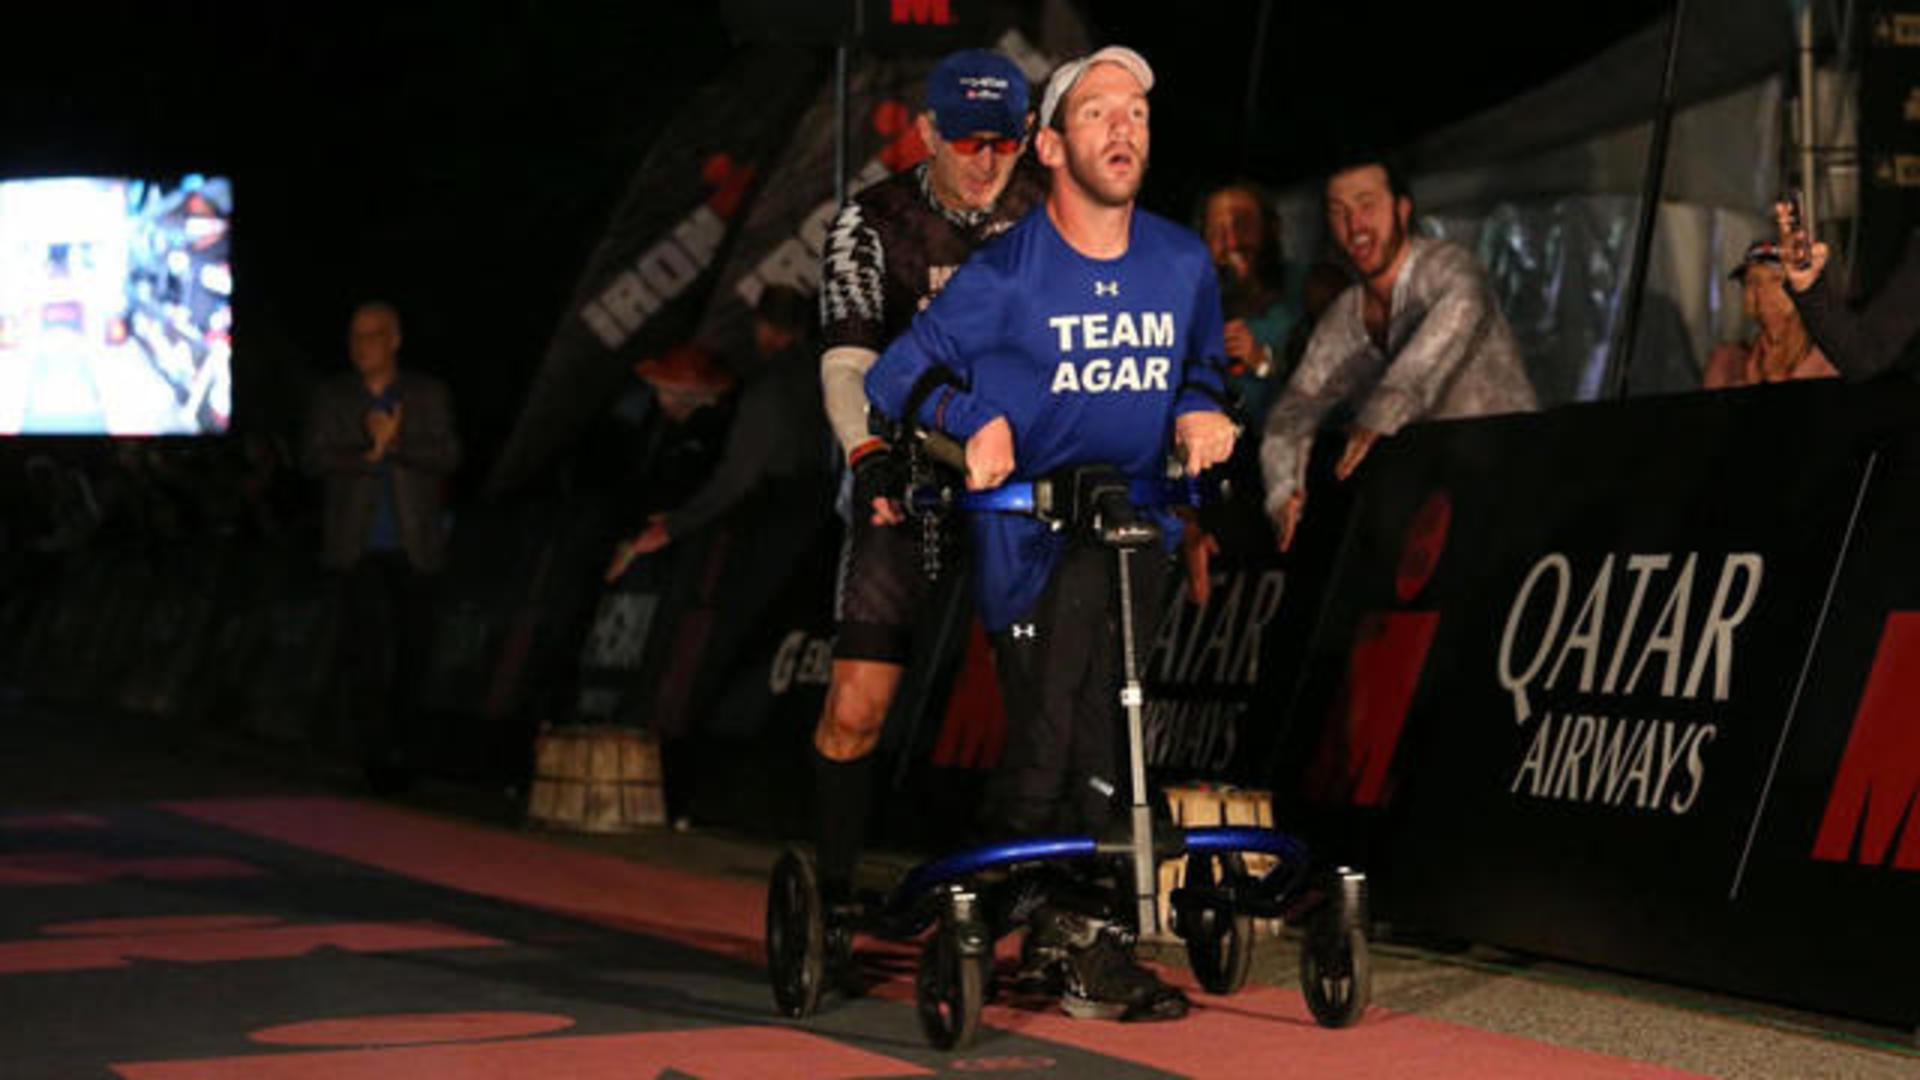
(1212,912)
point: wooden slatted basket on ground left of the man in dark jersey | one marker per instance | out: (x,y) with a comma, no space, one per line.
(596,779)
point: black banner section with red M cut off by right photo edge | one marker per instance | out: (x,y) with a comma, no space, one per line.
(1836,837)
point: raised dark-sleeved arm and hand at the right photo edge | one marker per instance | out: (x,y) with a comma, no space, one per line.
(1860,343)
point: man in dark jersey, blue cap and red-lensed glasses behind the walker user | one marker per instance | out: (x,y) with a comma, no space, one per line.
(888,255)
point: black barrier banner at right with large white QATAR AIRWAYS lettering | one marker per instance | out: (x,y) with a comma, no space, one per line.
(1572,658)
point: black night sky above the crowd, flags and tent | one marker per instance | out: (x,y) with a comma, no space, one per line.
(462,159)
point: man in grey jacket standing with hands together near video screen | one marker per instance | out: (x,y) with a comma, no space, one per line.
(383,443)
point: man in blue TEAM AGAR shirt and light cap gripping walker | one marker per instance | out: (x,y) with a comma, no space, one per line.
(1090,333)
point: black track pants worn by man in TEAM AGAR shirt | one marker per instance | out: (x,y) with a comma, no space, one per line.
(1061,675)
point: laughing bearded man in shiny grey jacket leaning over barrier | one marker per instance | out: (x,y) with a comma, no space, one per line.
(1418,335)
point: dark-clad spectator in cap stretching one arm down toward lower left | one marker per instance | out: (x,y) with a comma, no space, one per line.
(779,435)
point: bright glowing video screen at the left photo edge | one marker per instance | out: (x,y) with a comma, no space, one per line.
(116,307)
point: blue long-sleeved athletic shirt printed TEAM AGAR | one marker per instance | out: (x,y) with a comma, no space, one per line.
(1090,362)
